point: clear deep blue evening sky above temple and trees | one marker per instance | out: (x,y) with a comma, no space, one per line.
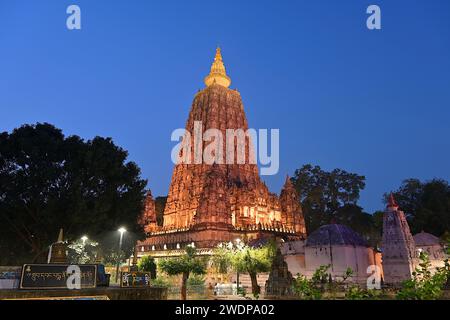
(372,102)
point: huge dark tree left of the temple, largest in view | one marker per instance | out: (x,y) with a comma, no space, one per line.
(49,181)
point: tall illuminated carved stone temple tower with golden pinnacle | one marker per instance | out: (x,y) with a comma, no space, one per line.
(213,203)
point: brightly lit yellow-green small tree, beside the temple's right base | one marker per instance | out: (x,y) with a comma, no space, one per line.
(245,259)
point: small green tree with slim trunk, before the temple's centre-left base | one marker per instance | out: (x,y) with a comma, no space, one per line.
(185,265)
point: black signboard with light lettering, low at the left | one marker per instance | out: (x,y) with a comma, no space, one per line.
(55,276)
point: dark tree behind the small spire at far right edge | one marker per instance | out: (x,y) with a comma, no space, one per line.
(426,204)
